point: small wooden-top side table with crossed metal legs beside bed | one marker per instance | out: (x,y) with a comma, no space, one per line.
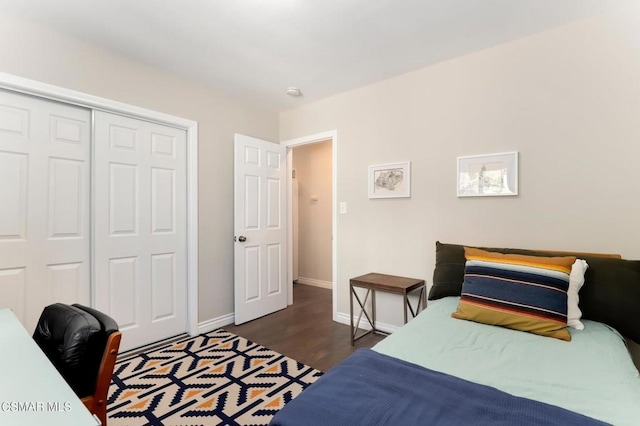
(388,283)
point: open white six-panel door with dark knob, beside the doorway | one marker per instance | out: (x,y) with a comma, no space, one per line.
(259,226)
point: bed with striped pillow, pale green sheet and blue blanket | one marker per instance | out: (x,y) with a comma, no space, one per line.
(439,369)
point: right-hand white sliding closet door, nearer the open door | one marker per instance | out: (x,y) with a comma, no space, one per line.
(140,227)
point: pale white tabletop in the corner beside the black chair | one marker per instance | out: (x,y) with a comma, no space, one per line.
(32,392)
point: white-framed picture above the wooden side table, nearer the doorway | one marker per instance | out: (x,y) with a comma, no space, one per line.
(391,180)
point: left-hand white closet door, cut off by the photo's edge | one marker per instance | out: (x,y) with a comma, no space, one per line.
(44,204)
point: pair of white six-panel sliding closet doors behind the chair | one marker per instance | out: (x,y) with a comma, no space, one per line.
(94,220)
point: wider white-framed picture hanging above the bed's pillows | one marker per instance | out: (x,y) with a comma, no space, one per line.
(490,175)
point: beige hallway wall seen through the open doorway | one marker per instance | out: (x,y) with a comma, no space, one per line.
(314,174)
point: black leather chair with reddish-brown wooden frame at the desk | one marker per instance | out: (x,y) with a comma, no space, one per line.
(82,343)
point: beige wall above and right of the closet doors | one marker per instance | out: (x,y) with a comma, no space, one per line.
(38,53)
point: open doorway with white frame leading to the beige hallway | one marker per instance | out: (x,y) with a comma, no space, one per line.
(314,160)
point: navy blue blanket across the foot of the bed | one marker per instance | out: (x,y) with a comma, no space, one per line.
(370,388)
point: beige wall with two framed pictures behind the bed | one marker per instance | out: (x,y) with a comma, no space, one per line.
(568,100)
